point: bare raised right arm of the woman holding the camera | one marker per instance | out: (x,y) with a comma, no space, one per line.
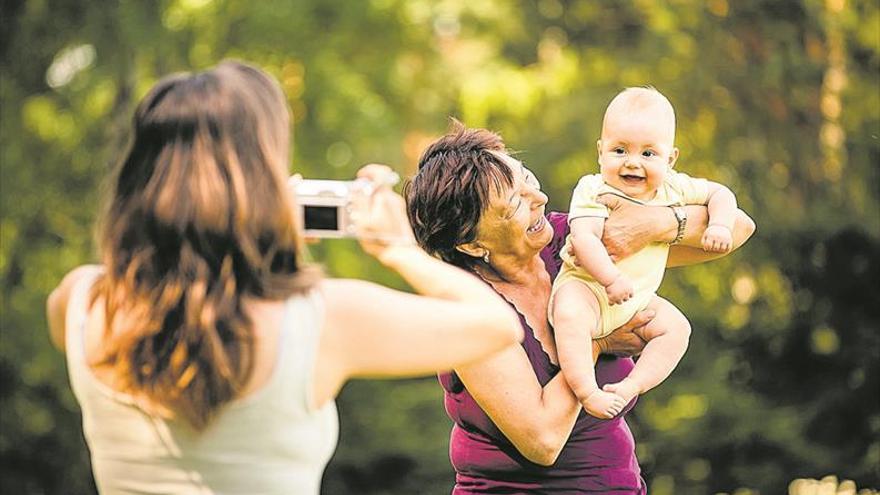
(373,331)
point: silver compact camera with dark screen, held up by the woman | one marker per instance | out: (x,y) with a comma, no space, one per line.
(325,206)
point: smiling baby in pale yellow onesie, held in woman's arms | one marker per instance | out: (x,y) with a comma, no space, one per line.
(636,156)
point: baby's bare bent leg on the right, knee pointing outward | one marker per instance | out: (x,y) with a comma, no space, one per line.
(667,336)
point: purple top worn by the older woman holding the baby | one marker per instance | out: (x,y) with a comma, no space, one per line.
(599,456)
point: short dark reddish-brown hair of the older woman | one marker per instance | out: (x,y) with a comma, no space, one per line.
(451,190)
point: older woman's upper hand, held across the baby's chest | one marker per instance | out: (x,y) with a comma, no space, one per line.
(631,226)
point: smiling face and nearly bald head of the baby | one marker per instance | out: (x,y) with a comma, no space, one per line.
(637,144)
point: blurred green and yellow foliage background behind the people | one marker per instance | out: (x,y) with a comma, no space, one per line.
(778,99)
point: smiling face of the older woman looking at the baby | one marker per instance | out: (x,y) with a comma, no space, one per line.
(514,223)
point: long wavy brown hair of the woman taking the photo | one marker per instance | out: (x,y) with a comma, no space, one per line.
(199,218)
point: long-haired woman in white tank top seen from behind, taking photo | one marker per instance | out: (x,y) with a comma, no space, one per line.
(204,353)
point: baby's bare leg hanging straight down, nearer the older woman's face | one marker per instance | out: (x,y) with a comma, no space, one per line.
(575,320)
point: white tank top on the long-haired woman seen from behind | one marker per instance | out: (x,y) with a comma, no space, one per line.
(266,443)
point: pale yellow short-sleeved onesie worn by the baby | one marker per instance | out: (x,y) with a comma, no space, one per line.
(644,268)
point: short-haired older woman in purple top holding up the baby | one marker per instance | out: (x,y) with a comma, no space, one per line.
(518,427)
